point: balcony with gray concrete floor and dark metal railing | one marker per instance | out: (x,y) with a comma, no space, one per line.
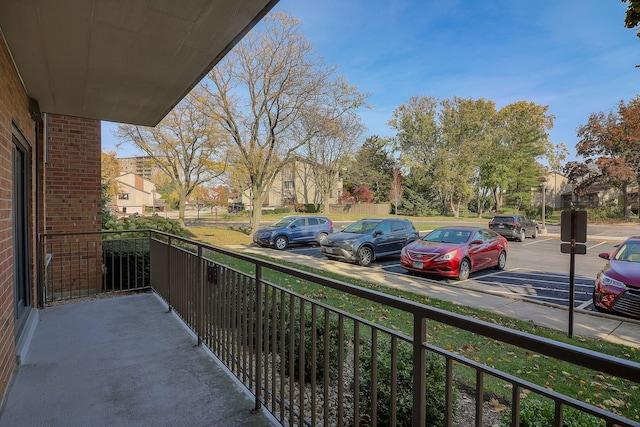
(128,360)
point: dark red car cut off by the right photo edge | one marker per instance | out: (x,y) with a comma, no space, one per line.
(617,287)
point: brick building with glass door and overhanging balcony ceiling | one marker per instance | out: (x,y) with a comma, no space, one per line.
(64,67)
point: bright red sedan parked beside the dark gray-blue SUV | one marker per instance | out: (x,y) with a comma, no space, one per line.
(455,252)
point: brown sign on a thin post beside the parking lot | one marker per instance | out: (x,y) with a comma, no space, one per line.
(573,229)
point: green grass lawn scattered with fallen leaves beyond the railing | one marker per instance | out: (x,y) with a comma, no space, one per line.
(592,387)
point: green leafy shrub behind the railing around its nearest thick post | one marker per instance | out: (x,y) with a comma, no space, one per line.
(435,393)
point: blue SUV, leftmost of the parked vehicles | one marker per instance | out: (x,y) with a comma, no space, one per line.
(294,229)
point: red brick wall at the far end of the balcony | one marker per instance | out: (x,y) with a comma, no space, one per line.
(72,191)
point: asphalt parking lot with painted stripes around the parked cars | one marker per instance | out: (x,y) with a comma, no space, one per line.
(536,270)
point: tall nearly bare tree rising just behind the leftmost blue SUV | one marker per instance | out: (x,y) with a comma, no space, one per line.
(272,94)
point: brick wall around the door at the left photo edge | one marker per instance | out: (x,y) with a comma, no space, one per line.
(14,111)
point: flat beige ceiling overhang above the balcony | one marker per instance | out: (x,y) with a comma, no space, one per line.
(127,61)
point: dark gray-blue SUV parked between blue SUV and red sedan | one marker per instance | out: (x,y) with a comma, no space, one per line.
(364,241)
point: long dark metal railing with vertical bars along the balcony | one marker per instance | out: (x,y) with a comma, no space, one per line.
(309,363)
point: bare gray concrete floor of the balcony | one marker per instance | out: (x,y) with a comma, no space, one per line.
(122,361)
